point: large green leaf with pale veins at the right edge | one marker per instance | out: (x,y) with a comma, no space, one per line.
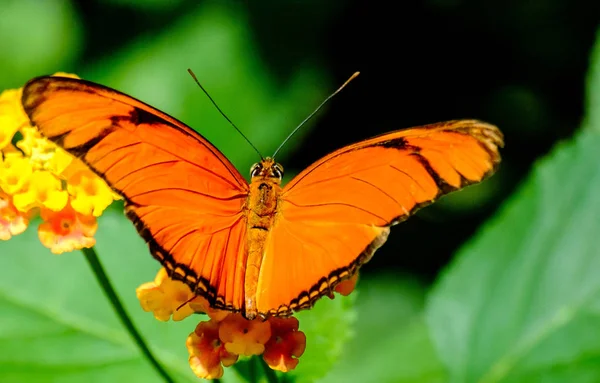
(522,301)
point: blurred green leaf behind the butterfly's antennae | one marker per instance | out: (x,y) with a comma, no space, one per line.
(214,40)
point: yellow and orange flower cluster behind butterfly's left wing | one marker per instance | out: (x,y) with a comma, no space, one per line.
(39,178)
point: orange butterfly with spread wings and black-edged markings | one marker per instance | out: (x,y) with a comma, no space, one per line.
(258,247)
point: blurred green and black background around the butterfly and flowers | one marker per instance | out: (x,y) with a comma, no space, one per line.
(519,303)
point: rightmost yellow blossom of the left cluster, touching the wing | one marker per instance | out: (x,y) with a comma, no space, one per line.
(90,193)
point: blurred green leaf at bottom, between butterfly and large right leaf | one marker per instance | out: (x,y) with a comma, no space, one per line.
(392,342)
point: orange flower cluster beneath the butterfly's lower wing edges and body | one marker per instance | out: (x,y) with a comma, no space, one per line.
(219,341)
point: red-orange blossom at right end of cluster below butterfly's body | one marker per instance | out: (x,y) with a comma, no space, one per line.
(286,344)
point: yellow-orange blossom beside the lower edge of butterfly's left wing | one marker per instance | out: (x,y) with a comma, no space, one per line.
(165,297)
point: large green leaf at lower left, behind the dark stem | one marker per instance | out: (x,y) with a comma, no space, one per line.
(56,325)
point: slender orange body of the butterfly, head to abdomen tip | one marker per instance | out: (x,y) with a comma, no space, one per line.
(261,207)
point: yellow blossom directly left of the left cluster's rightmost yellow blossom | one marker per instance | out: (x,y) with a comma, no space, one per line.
(43,190)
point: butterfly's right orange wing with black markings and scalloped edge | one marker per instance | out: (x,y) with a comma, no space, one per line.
(336,213)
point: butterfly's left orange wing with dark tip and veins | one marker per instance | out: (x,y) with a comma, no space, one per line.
(183,195)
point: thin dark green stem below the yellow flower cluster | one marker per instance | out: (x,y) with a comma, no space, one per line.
(102,278)
